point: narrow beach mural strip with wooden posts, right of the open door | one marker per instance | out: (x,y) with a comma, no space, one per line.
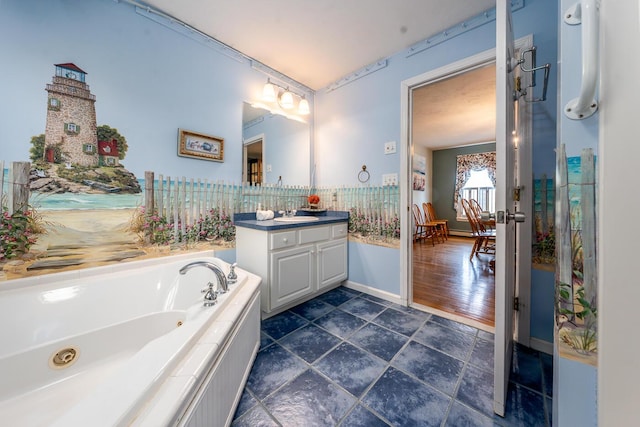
(576,274)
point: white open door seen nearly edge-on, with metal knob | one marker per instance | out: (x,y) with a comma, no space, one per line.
(505,268)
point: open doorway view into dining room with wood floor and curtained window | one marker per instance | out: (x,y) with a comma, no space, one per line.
(454,118)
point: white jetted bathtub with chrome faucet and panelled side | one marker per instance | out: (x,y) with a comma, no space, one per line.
(136,346)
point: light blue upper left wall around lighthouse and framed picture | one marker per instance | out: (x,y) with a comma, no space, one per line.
(148,80)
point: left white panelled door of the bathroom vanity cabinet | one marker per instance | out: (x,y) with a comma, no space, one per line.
(292,274)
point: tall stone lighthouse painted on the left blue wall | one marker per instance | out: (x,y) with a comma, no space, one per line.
(70,135)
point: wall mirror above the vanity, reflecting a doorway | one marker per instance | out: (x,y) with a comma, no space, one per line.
(274,148)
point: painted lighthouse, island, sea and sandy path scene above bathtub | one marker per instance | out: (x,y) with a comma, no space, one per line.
(81,207)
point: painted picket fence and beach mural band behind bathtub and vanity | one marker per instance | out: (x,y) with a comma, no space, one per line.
(78,230)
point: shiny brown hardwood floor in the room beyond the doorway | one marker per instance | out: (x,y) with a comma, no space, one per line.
(445,279)
